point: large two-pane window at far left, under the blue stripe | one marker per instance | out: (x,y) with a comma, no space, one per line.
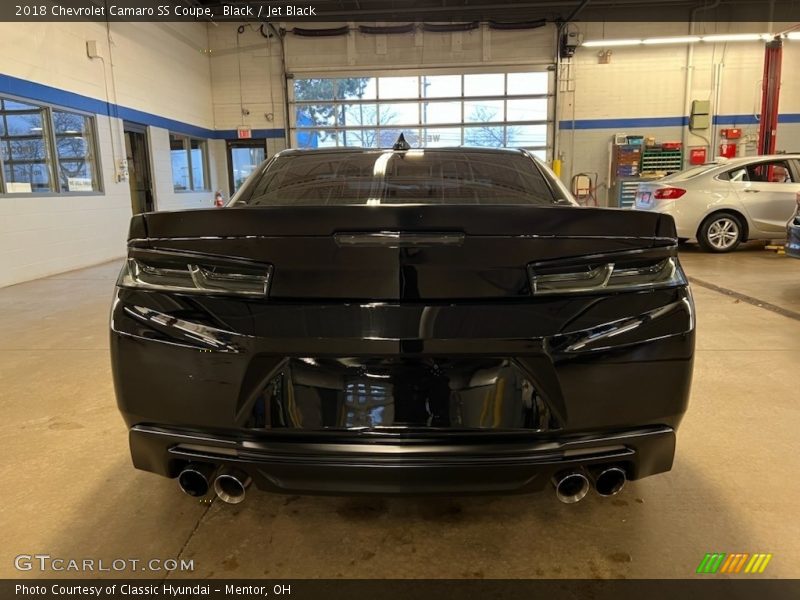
(46,150)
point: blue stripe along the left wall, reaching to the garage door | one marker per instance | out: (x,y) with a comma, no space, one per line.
(50,95)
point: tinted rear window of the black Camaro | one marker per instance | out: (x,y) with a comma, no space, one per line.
(411,177)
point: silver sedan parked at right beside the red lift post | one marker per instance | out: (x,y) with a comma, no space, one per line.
(725,203)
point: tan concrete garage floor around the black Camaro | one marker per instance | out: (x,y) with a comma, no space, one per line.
(69,489)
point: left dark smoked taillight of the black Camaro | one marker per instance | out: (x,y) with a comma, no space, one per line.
(184,273)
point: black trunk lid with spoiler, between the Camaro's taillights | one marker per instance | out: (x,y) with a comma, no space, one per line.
(401,252)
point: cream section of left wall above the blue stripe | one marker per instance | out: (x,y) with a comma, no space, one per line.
(158,68)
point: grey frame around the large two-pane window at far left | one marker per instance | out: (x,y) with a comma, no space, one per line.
(49,138)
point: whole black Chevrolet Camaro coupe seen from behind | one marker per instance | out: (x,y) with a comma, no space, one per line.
(402,321)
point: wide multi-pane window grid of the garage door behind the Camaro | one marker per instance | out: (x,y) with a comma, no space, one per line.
(476,109)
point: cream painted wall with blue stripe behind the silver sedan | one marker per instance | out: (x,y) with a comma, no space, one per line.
(650,82)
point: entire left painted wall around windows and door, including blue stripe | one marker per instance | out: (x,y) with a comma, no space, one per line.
(160,72)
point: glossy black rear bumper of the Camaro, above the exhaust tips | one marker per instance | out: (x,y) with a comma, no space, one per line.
(555,384)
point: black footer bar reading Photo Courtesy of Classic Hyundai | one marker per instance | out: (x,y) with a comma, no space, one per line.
(402,589)
